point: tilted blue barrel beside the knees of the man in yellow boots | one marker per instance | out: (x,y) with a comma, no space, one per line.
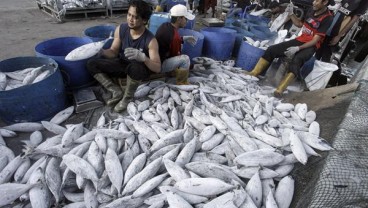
(248,56)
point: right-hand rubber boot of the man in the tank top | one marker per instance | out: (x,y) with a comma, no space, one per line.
(130,89)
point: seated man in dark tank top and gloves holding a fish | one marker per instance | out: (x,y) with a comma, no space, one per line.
(133,54)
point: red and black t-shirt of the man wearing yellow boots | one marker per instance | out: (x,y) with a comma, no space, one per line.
(315,25)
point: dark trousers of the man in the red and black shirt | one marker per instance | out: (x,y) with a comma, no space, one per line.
(296,63)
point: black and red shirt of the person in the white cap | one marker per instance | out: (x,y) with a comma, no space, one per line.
(169,41)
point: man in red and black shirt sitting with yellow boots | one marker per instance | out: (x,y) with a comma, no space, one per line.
(301,49)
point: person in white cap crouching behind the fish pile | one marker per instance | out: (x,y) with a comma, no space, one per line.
(170,42)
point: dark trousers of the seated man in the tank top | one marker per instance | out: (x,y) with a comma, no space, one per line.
(118,68)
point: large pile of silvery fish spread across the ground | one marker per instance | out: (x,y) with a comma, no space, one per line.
(219,142)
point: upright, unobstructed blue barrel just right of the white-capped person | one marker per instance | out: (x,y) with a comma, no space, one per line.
(218,42)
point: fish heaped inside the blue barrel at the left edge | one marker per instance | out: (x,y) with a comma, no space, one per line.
(28,76)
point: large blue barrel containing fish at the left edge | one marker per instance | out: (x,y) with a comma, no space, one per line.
(34,102)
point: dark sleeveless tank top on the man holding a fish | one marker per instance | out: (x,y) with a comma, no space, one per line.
(127,41)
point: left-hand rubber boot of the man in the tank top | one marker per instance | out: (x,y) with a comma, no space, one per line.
(107,83)
